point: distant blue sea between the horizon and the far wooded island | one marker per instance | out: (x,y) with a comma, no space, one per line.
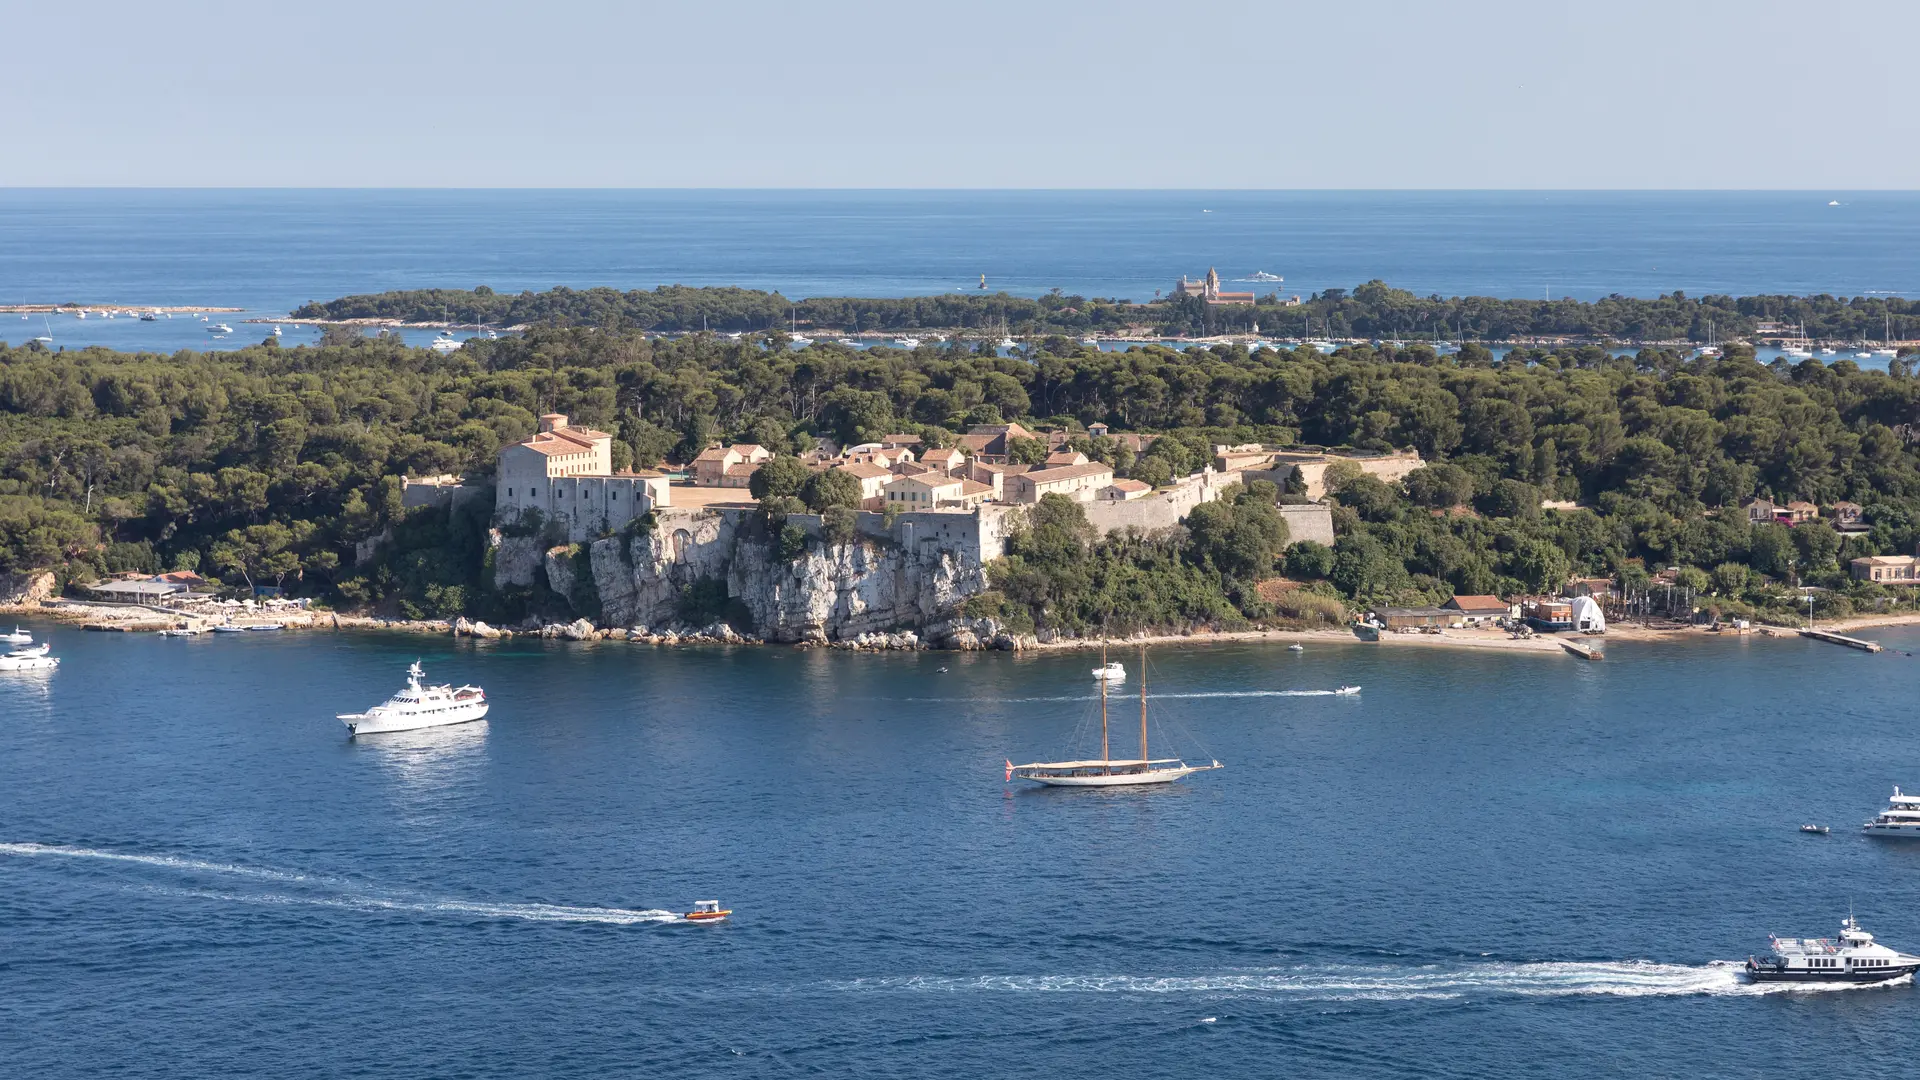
(272,251)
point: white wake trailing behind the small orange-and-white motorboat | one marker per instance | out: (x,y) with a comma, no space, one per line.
(343,895)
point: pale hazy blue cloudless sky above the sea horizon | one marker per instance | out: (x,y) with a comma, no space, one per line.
(969,93)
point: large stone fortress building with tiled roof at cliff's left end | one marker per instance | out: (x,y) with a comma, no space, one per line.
(567,476)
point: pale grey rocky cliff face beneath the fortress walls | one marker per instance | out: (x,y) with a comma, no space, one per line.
(830,593)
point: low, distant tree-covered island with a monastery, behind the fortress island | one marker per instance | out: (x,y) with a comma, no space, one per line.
(1374,312)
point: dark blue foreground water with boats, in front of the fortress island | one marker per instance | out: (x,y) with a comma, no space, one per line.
(1483,866)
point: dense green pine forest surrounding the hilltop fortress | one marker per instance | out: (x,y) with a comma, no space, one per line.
(274,466)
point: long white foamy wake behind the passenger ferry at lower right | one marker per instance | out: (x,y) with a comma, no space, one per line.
(1339,983)
